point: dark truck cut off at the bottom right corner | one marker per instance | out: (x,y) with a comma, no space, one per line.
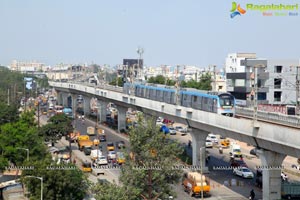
(290,190)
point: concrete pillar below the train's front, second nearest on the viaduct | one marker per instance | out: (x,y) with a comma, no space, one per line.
(198,142)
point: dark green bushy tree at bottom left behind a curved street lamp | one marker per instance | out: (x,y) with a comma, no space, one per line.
(59,181)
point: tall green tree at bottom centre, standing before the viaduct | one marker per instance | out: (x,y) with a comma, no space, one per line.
(149,170)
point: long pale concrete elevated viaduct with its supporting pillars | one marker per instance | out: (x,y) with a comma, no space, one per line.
(275,141)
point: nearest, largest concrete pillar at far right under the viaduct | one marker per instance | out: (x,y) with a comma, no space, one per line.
(271,167)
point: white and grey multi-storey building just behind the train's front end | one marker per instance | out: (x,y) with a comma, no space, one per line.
(240,75)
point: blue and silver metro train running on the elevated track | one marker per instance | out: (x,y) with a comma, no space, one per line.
(220,103)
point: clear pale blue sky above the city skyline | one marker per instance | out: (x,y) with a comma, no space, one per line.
(171,32)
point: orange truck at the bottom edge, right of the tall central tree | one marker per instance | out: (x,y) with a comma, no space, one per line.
(194,183)
